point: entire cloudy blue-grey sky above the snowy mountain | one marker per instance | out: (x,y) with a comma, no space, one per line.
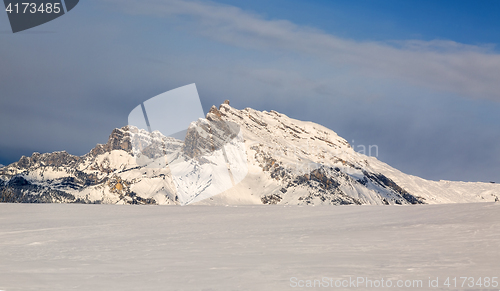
(419,79)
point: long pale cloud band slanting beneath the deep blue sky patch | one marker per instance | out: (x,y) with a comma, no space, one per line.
(469,70)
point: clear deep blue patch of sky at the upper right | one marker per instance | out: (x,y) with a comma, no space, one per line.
(471,22)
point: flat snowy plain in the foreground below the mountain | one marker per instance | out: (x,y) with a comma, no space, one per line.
(120,247)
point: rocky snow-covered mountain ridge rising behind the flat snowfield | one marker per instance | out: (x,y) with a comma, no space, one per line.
(231,157)
